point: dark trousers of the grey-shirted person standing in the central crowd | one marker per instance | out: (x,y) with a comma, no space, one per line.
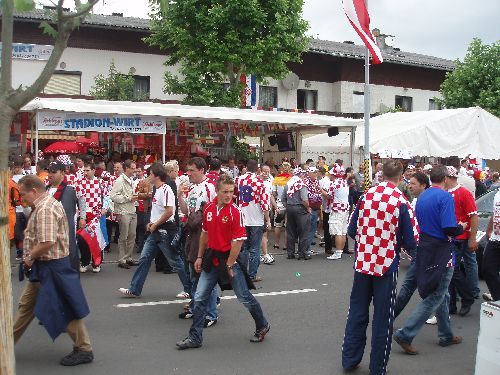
(297,229)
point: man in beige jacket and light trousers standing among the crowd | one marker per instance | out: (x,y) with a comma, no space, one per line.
(123,196)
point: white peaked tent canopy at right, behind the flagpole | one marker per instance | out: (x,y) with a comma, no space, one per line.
(449,132)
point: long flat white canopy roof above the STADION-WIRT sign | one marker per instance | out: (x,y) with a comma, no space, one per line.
(186,112)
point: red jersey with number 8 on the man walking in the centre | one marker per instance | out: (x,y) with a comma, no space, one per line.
(223,225)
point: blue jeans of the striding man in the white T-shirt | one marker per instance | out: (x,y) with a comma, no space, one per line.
(158,241)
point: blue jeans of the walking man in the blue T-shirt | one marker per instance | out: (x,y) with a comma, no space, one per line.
(437,301)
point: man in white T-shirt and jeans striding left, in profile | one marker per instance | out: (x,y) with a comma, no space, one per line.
(162,228)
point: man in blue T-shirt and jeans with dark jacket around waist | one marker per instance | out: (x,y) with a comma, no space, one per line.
(436,217)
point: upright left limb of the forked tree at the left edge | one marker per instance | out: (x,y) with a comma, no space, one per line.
(7,35)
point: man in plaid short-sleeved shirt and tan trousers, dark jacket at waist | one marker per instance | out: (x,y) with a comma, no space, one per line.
(54,293)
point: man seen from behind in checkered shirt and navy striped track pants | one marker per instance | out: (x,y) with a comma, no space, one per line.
(381,224)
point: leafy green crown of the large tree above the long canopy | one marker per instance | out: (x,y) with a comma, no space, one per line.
(215,41)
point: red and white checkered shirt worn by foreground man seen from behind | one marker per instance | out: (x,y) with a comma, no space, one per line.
(377,228)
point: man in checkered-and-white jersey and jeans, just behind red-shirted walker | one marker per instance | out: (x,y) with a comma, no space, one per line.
(254,204)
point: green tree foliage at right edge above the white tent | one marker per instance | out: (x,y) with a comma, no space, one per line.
(476,80)
